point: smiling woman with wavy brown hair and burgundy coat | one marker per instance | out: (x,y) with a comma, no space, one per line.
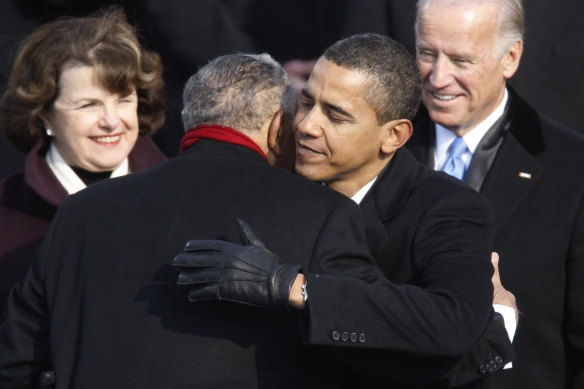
(82,100)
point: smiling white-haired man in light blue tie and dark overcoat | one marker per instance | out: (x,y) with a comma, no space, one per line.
(528,166)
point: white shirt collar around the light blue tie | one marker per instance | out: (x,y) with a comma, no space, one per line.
(444,137)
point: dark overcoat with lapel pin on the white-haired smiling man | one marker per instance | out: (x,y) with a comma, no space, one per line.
(535,184)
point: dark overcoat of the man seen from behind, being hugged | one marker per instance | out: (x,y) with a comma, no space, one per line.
(100,305)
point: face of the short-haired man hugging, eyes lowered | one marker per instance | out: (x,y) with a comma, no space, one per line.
(338,138)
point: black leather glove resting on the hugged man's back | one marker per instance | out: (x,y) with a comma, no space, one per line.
(247,274)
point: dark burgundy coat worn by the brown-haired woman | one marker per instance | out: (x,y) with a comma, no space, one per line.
(28,202)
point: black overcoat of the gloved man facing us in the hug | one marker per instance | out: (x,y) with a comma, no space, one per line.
(432,236)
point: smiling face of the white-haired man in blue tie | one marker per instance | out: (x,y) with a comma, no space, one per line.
(462,69)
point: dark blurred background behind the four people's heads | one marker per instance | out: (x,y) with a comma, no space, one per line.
(189,33)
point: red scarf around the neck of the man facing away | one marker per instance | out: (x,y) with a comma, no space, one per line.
(220,133)
